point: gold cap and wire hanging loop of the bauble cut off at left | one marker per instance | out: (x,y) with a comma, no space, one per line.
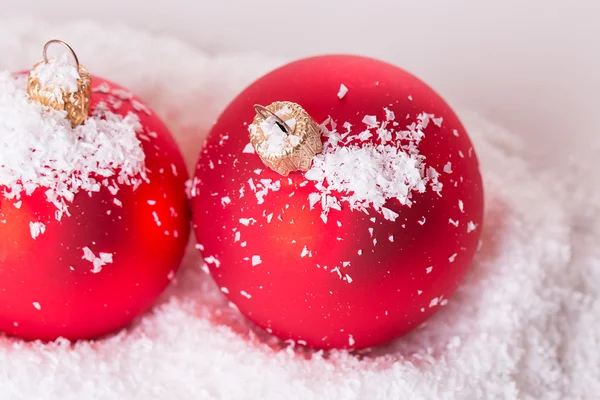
(76,102)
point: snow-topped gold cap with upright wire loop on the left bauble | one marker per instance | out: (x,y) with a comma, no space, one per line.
(62,87)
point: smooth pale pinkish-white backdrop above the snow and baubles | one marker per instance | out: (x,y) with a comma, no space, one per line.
(532,65)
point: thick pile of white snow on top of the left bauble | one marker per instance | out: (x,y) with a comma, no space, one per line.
(40,149)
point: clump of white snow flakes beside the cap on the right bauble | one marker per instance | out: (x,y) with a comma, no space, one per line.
(366,172)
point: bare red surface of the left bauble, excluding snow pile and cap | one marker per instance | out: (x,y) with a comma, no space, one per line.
(50,286)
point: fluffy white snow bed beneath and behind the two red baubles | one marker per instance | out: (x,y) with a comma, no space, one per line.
(524,325)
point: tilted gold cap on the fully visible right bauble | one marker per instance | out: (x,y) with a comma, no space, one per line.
(285,137)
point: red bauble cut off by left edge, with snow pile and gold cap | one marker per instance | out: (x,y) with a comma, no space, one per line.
(94,217)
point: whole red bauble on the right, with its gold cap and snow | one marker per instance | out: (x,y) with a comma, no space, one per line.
(368,243)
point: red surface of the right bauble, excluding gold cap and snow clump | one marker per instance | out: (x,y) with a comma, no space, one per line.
(366,279)
